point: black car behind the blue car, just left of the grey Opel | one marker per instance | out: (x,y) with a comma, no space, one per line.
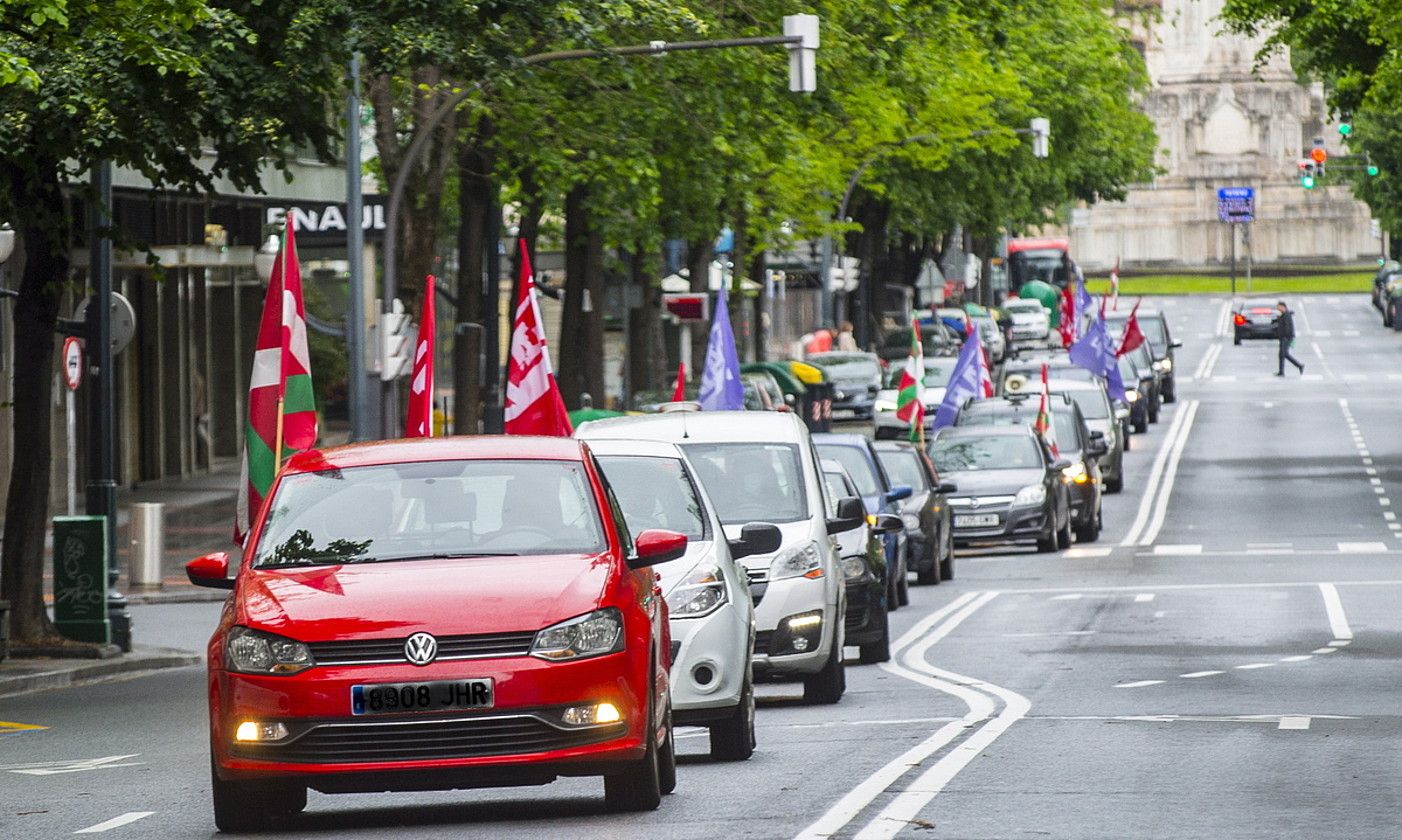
(926,514)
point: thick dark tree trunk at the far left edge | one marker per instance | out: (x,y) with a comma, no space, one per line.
(44,241)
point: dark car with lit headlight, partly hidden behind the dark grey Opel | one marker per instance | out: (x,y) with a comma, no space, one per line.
(1075,442)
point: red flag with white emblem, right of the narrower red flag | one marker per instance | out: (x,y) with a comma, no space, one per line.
(533,402)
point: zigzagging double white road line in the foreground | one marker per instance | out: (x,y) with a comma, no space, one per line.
(984,702)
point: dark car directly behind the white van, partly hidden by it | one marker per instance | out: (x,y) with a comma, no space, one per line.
(864,570)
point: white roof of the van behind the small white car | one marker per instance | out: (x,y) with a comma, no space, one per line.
(700,427)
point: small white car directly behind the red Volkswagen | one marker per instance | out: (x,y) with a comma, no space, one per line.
(707,592)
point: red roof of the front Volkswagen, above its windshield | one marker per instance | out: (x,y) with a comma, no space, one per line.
(437,449)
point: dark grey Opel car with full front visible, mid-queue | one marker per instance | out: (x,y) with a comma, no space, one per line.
(1012,489)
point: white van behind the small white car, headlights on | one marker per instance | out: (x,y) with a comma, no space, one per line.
(761,468)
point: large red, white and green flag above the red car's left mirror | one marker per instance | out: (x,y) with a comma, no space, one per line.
(283,407)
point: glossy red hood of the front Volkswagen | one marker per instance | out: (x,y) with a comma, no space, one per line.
(440,597)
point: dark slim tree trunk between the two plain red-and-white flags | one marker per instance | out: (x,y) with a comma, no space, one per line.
(475,201)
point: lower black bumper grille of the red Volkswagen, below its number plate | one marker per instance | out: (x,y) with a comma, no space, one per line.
(413,741)
